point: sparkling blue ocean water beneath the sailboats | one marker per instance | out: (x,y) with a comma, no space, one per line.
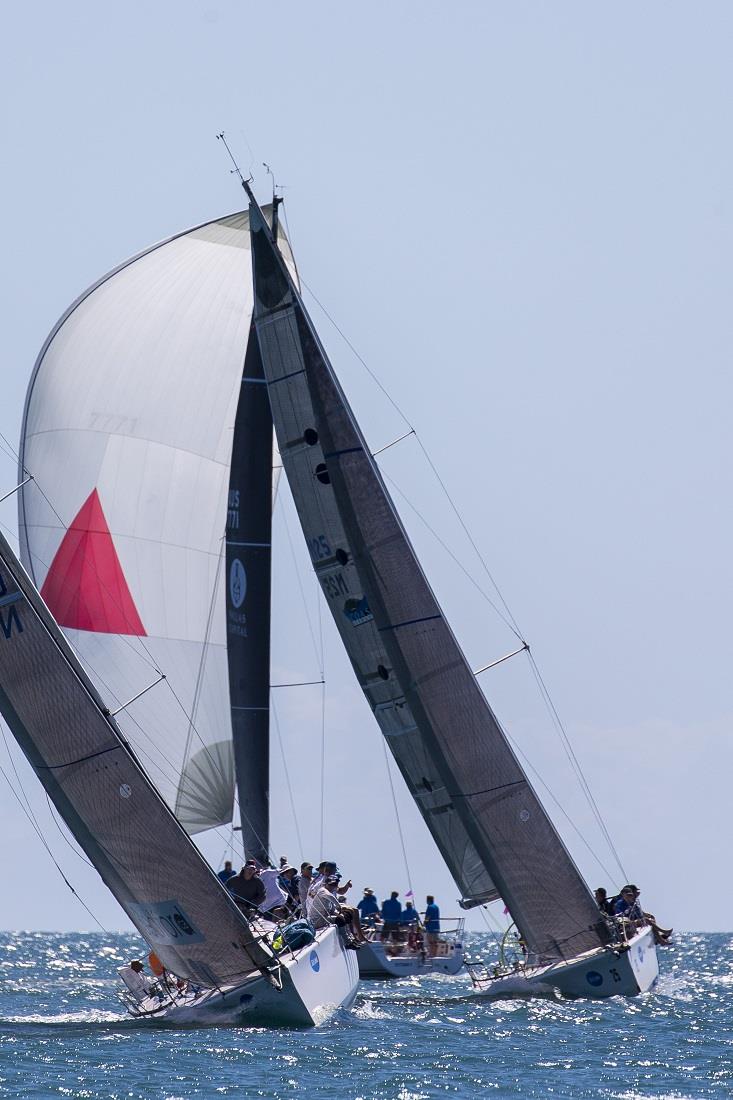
(64,1035)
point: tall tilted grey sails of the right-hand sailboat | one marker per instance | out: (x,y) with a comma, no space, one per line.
(487,821)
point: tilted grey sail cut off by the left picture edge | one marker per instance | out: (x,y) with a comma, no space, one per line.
(141,852)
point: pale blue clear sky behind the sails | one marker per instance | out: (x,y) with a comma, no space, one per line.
(521,217)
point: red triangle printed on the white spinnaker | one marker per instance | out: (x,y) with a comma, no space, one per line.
(85,588)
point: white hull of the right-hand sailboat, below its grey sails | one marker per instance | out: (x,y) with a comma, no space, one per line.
(607,973)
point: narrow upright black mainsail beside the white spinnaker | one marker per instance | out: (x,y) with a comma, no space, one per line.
(249,533)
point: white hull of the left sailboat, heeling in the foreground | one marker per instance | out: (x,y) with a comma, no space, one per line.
(310,987)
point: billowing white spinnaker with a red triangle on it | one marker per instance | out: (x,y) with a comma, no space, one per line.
(128,432)
